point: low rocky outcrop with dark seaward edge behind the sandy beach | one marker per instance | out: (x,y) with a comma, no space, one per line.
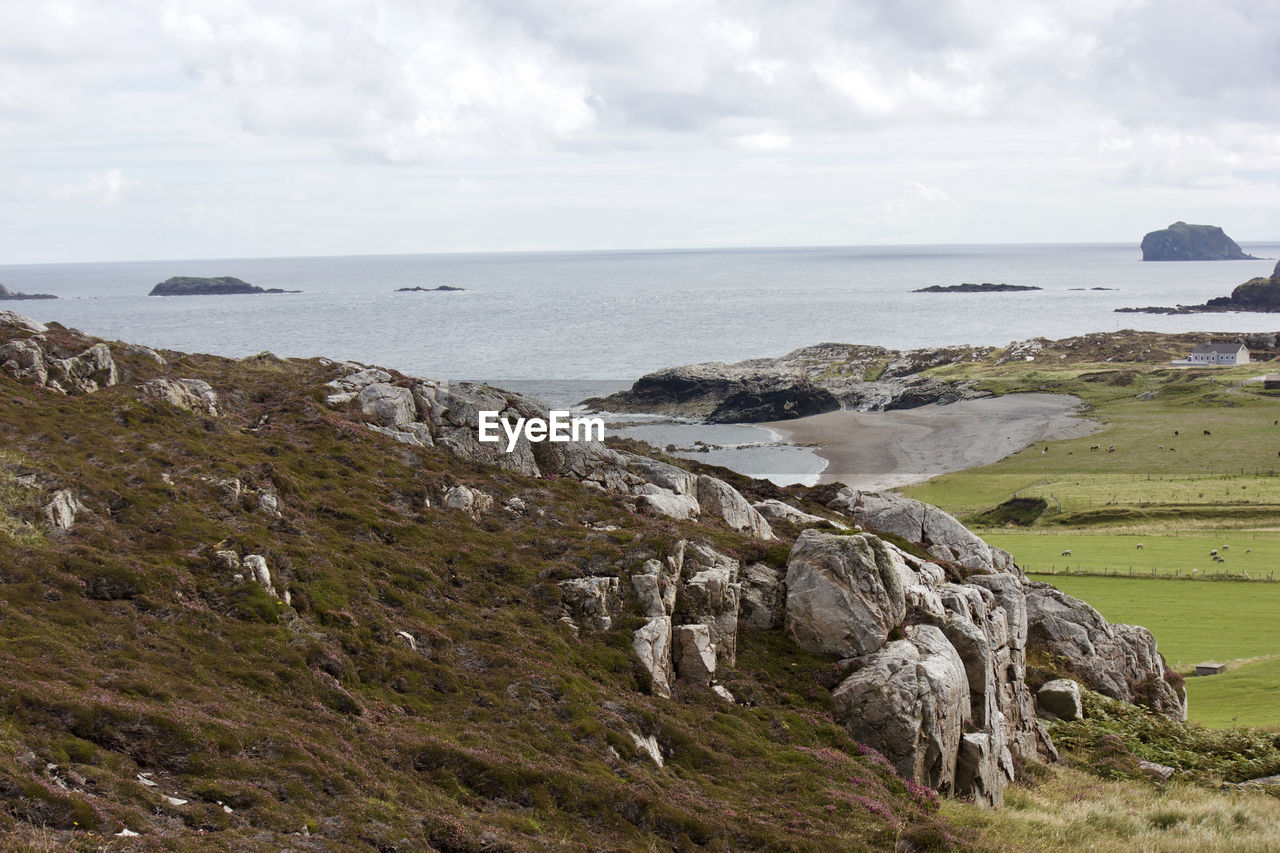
(806,382)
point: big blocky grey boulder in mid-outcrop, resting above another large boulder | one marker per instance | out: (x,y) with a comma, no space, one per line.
(845,594)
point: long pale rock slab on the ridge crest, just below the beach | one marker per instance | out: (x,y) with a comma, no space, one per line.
(941,535)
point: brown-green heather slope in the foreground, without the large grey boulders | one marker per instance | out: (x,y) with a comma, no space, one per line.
(144,687)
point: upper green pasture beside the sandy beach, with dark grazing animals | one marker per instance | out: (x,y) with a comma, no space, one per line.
(1231,476)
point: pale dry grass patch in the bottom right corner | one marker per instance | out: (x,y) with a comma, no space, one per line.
(1073,811)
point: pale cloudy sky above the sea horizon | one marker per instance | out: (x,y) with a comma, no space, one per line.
(241,129)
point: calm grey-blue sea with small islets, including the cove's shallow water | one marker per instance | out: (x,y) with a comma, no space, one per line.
(570,326)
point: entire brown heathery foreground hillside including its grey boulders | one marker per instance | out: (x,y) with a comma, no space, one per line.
(312,580)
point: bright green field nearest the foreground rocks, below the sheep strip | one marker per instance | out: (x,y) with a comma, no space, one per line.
(1201,621)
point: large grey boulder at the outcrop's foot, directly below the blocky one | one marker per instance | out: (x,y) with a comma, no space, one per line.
(908,701)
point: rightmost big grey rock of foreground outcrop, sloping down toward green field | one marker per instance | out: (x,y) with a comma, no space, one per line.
(1121,662)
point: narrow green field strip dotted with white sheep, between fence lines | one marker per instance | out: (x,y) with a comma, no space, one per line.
(1171,553)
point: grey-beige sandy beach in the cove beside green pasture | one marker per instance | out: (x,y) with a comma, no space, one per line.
(893,449)
